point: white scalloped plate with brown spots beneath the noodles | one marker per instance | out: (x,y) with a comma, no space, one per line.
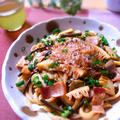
(9,72)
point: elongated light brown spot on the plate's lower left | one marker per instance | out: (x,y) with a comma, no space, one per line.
(29,112)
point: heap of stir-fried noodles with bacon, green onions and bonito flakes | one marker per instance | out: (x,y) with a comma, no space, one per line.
(73,74)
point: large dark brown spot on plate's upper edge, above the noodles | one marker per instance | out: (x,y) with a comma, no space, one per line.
(51,26)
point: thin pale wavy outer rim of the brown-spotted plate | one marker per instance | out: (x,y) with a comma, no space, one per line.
(4,88)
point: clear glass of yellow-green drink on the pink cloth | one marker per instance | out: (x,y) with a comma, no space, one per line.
(12,15)
